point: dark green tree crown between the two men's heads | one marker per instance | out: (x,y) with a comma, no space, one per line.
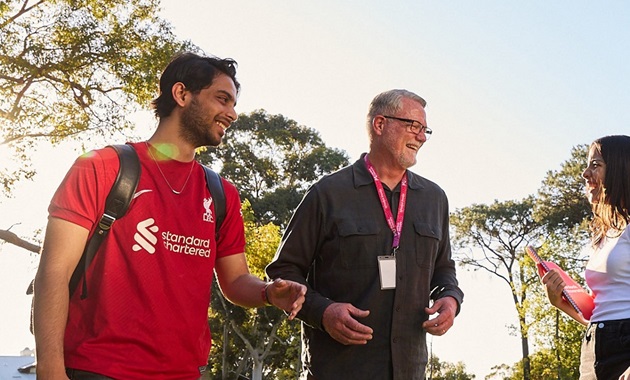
(272,160)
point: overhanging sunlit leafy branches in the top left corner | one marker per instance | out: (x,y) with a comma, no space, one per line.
(76,68)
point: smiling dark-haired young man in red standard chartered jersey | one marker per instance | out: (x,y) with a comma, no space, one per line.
(149,287)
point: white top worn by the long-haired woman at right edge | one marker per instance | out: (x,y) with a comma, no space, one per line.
(608,276)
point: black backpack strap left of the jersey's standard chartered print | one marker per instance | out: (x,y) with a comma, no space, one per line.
(116,205)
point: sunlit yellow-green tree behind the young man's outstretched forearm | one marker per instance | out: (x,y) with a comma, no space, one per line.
(261,343)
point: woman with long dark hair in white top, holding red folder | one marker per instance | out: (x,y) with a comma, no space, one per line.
(605,352)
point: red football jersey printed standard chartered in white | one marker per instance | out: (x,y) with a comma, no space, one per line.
(149,285)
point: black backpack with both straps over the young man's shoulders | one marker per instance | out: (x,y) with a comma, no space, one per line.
(117,204)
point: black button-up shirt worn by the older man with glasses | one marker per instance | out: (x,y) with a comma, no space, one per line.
(332,243)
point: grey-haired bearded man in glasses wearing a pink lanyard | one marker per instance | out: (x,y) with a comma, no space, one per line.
(371,243)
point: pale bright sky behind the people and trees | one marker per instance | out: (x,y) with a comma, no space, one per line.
(511,88)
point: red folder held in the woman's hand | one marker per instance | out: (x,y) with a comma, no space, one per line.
(573,292)
